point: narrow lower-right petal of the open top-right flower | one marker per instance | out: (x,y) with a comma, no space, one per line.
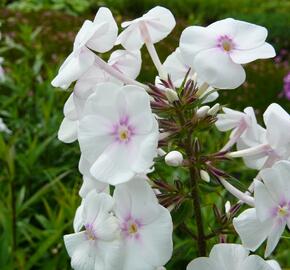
(246,56)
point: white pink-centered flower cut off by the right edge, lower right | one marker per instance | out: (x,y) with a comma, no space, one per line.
(272,209)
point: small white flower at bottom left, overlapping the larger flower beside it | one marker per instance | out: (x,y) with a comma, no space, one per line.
(97,247)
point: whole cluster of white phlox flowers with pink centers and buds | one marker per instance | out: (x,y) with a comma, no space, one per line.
(120,223)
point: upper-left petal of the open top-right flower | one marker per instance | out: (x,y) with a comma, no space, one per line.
(193,40)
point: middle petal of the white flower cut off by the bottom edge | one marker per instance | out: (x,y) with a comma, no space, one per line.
(228,256)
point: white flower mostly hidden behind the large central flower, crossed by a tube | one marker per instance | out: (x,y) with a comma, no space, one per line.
(128,63)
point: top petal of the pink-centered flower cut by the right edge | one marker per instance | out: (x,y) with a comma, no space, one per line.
(276,180)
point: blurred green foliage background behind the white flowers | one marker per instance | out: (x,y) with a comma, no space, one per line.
(39,179)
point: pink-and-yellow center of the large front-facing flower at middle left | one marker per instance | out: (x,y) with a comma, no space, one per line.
(123,131)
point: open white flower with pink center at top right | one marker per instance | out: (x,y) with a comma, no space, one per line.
(217,52)
